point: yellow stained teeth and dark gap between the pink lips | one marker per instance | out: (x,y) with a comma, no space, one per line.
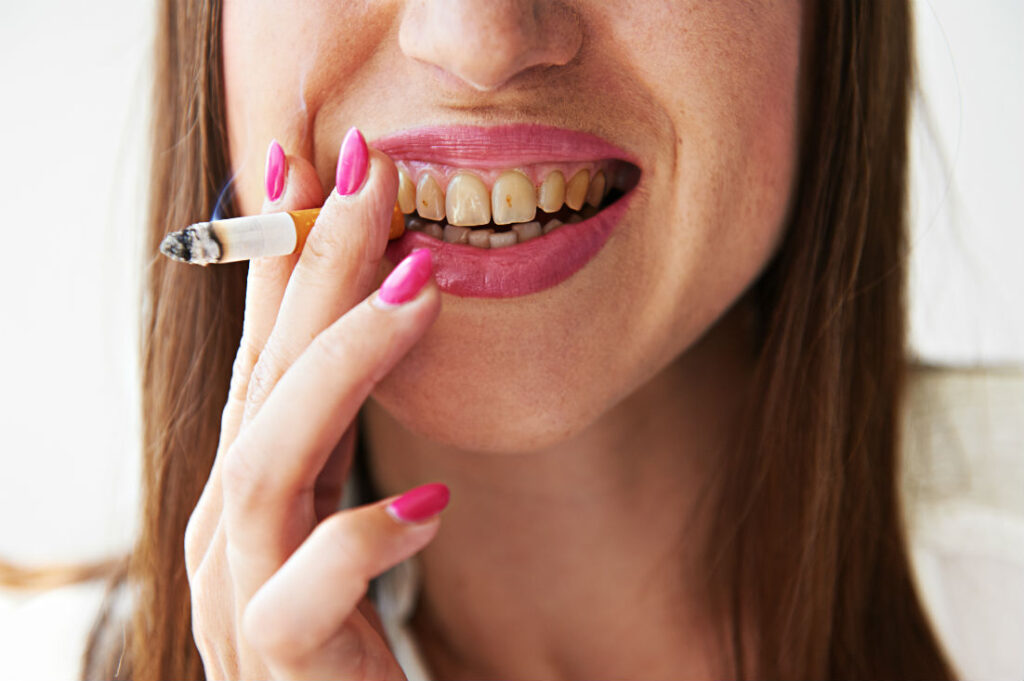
(494,209)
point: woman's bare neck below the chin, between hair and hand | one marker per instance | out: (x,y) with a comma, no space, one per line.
(585,560)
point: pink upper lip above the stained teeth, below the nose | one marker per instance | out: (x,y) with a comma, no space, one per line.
(497,147)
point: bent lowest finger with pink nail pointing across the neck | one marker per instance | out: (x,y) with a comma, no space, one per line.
(302,621)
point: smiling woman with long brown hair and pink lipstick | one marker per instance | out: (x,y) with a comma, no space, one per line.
(670,434)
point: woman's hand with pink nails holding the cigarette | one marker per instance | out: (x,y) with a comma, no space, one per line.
(278,578)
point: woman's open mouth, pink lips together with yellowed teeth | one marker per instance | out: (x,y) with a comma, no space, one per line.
(507,210)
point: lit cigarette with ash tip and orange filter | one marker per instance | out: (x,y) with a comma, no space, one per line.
(252,237)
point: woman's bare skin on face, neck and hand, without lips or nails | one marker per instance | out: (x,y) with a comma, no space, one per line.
(576,428)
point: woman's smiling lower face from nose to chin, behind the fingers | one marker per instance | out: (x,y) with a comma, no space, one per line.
(702,97)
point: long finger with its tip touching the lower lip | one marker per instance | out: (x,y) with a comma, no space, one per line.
(271,471)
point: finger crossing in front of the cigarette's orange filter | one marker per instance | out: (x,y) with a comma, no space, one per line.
(336,270)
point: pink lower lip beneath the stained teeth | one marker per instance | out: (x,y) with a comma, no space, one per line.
(515,271)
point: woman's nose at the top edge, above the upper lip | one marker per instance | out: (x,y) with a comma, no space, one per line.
(486,44)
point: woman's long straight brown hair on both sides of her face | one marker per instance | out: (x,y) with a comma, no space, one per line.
(816,562)
